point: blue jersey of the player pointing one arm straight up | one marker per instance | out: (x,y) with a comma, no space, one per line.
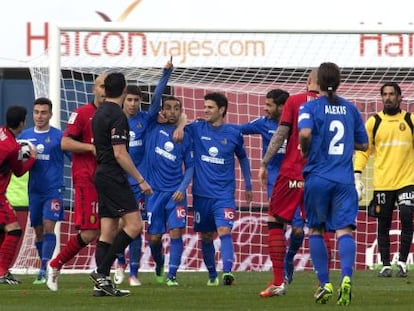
(139,123)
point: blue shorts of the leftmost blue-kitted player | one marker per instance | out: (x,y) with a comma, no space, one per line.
(48,207)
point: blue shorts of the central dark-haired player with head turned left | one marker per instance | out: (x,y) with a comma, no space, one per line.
(209,214)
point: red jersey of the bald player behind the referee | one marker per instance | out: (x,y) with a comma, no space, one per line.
(79,128)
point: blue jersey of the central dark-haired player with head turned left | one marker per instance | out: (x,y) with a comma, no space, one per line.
(214,168)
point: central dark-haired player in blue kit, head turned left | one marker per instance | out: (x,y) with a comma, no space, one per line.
(215,144)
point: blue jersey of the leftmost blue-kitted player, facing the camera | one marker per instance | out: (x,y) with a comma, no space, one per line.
(46,175)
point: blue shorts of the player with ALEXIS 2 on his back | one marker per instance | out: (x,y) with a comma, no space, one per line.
(330,204)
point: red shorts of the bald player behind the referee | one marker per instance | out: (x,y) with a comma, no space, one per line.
(86,207)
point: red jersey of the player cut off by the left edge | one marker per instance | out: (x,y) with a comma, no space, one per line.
(10,159)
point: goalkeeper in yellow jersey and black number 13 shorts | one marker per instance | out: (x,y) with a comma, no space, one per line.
(391,143)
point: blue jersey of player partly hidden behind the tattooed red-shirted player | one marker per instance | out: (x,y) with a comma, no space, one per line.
(266,127)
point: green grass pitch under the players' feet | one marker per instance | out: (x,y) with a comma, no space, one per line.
(75,293)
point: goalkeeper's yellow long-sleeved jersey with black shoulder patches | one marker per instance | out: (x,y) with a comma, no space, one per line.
(393,151)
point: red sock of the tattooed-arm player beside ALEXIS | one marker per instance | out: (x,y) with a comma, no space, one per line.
(277,250)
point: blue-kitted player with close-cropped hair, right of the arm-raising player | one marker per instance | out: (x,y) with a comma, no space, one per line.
(167,206)
